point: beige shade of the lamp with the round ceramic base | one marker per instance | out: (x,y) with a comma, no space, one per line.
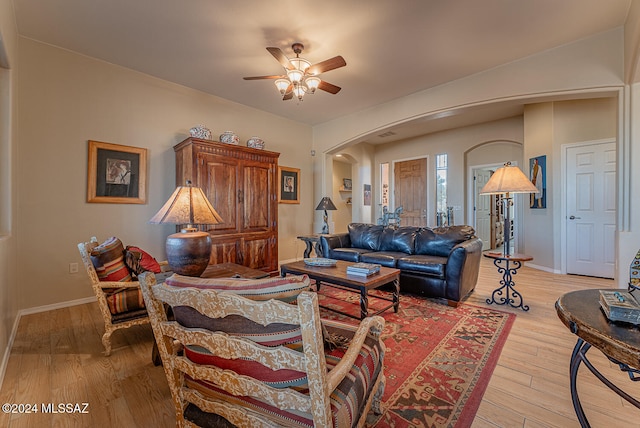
(187,205)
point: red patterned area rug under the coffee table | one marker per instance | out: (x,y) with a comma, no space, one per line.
(439,359)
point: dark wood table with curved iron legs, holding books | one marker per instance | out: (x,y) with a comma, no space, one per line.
(580,312)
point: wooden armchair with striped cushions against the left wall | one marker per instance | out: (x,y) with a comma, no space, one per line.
(119,298)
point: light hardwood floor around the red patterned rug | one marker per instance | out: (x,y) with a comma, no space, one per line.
(57,358)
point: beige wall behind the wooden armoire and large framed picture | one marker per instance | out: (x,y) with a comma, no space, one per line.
(74,99)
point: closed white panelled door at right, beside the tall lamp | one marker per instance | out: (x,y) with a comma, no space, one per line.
(591,209)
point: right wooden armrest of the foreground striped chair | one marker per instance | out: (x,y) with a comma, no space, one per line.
(368,326)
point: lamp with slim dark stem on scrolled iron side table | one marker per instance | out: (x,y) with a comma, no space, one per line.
(506,180)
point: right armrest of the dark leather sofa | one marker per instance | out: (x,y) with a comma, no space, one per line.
(462,268)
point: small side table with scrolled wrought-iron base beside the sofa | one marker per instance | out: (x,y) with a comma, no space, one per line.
(507,294)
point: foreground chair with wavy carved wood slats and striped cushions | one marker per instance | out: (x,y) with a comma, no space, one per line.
(240,354)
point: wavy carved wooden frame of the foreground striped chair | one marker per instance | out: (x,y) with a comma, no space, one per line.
(171,337)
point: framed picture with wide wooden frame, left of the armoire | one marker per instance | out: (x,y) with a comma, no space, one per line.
(116,174)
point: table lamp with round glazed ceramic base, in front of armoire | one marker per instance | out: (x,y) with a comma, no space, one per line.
(189,250)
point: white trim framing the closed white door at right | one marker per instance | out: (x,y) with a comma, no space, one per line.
(563,199)
